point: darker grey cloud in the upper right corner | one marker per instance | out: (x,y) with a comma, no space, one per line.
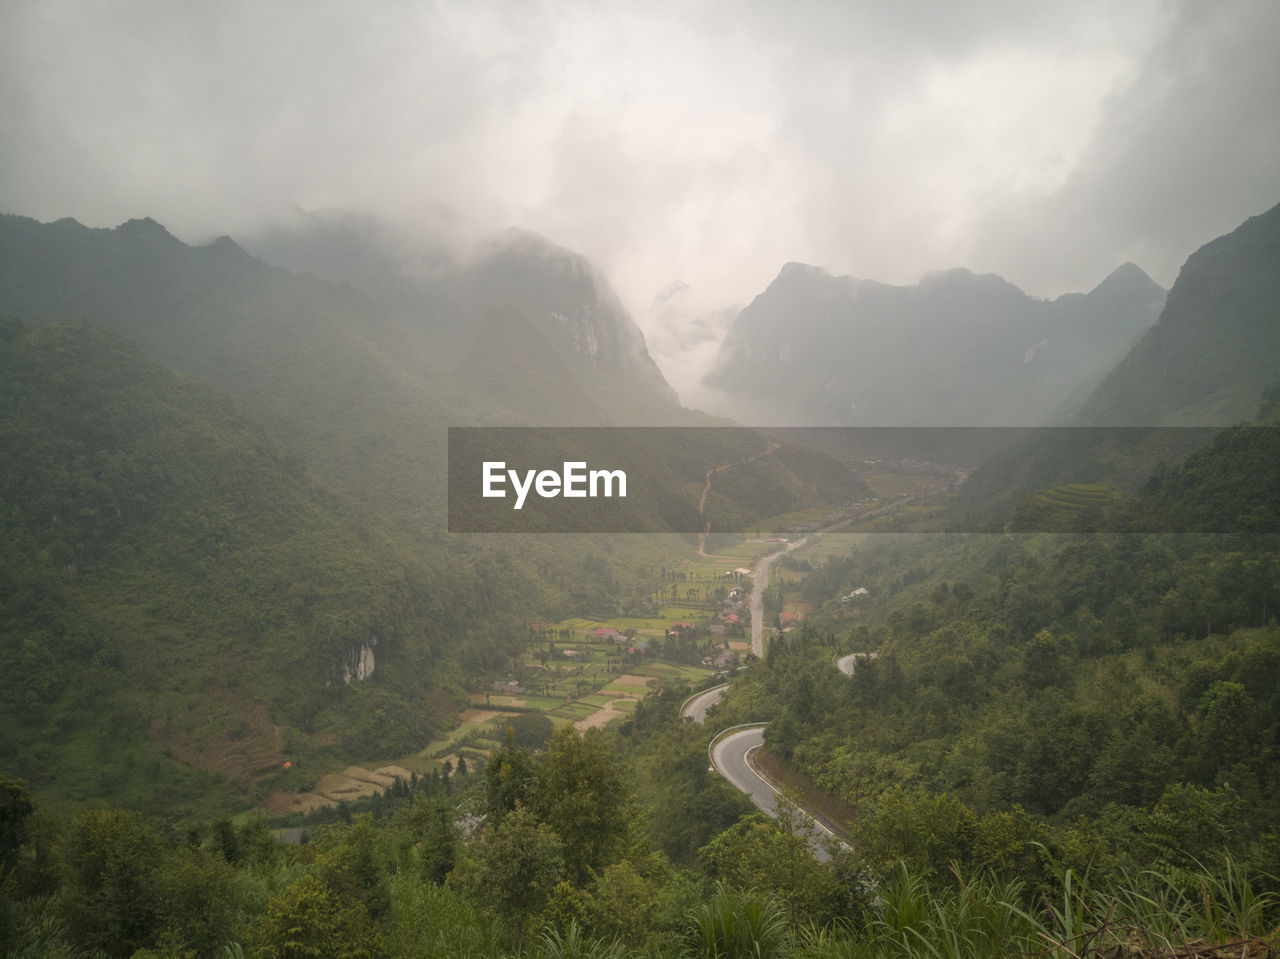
(1183,153)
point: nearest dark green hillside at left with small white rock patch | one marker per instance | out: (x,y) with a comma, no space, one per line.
(184,608)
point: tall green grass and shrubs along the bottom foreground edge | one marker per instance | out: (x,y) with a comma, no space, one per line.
(1174,915)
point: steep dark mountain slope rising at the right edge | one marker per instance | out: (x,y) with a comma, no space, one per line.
(1208,363)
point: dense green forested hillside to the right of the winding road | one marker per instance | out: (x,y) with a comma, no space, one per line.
(1123,687)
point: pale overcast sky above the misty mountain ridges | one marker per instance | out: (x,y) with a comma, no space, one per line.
(708,141)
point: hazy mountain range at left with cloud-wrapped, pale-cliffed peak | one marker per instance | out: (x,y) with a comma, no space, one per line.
(359,381)
